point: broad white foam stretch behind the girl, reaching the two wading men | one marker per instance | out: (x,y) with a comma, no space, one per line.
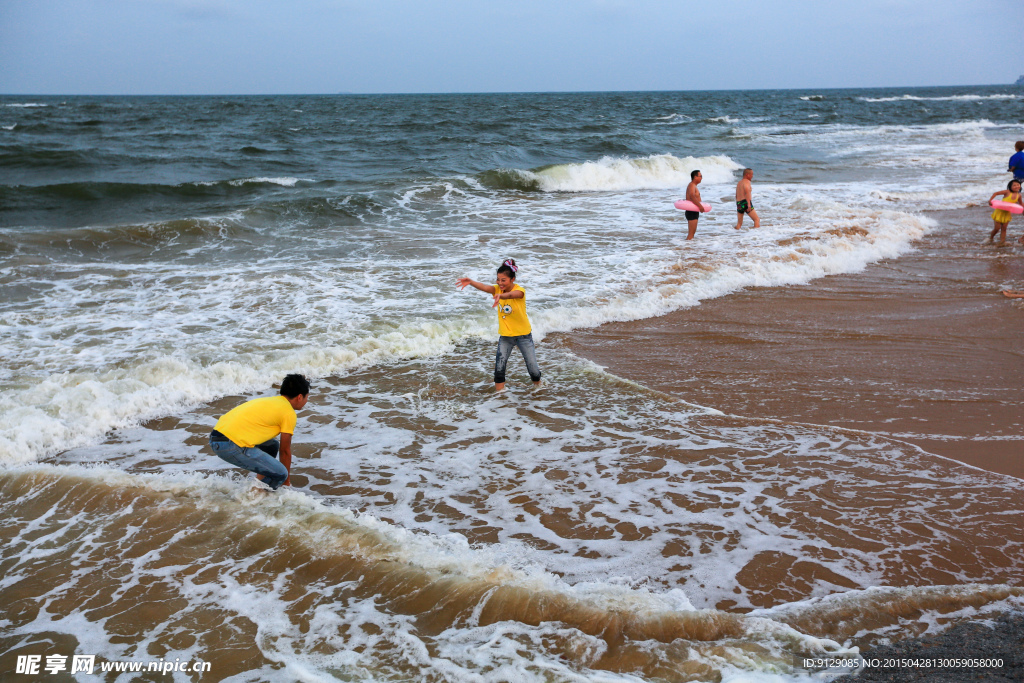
(207,334)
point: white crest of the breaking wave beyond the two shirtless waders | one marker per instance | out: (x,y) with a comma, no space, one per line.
(617,175)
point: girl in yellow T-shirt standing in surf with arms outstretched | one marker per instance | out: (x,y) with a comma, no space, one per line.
(514,326)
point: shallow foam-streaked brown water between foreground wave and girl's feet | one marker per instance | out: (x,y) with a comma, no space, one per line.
(632,488)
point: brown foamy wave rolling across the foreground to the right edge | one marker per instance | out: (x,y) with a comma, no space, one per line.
(369,573)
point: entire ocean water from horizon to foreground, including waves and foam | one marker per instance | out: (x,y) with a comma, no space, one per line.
(164,259)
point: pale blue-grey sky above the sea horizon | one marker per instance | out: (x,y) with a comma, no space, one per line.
(398,47)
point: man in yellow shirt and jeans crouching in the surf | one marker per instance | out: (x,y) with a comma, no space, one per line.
(246,436)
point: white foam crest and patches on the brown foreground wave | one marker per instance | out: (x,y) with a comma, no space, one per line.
(239,592)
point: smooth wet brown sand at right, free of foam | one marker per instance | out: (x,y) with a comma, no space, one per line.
(923,349)
